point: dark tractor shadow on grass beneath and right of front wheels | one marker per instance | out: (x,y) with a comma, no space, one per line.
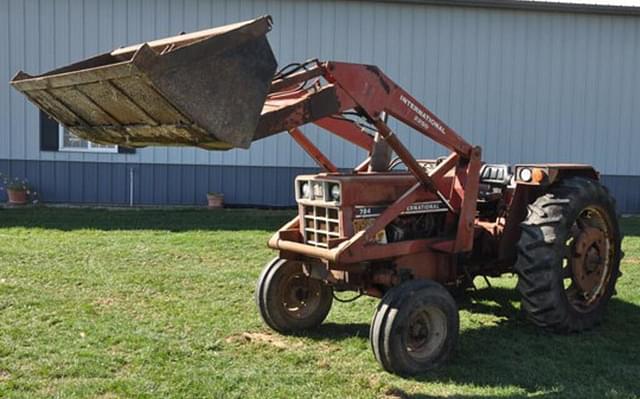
(513,353)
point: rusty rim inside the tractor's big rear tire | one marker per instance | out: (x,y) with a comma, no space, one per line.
(588,260)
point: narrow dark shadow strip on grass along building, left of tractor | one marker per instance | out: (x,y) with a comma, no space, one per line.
(175,220)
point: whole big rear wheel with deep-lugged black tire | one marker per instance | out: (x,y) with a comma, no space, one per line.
(569,256)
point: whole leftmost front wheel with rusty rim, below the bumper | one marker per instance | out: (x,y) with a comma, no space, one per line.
(290,301)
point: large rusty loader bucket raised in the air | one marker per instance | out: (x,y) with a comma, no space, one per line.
(203,89)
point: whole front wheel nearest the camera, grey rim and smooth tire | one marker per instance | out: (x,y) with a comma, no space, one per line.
(415,327)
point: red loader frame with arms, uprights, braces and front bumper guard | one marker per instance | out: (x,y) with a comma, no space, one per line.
(338,87)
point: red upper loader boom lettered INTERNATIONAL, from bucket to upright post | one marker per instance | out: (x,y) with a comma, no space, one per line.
(350,86)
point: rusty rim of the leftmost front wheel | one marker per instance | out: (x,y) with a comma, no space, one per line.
(300,295)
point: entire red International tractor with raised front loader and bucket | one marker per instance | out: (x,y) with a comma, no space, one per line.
(405,230)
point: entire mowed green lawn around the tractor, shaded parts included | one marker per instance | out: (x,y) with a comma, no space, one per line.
(159,303)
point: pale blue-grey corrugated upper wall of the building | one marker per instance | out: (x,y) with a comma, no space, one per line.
(527,86)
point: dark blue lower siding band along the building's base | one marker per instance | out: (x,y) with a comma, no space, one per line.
(100,183)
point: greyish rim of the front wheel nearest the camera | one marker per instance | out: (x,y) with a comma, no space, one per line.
(426,333)
